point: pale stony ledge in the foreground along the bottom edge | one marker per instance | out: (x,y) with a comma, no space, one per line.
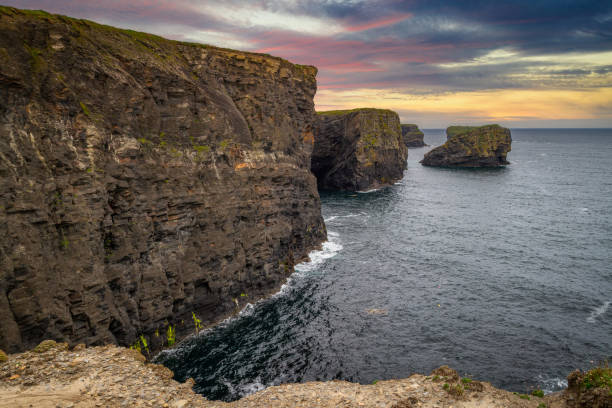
(51,375)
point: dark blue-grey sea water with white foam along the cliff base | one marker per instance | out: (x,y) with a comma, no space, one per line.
(502,274)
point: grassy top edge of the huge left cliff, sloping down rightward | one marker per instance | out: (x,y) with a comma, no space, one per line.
(142,37)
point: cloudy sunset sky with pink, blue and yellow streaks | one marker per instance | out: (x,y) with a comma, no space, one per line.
(536,63)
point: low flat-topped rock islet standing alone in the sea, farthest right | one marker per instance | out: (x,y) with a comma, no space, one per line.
(466,146)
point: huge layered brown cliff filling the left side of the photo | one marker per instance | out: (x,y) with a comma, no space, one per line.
(144,179)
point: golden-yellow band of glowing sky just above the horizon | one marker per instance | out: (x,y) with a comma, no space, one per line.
(494,105)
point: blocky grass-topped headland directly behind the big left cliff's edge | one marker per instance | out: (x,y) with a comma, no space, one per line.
(358,149)
